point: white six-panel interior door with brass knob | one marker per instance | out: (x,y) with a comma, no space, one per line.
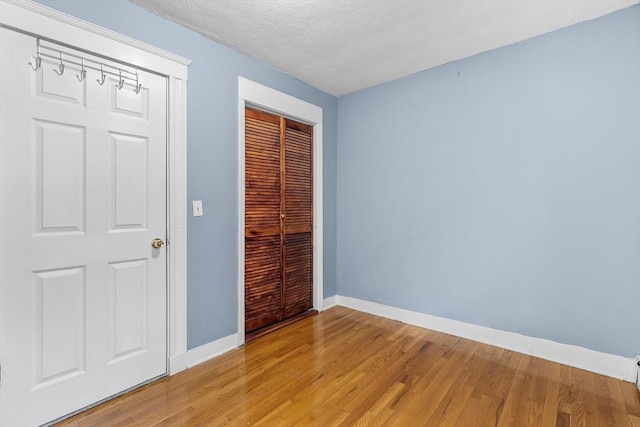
(83,187)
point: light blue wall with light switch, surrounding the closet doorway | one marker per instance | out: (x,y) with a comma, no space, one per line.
(212,156)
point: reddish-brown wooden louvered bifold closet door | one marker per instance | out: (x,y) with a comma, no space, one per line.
(278,219)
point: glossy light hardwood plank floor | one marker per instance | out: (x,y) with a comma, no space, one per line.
(347,368)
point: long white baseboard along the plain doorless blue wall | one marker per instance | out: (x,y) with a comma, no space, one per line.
(579,357)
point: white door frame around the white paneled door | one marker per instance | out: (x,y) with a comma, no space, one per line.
(38,20)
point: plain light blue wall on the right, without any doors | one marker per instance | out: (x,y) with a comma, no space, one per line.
(504,189)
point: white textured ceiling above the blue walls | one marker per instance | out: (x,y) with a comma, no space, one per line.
(341,46)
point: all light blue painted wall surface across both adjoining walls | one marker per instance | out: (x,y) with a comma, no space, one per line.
(501,190)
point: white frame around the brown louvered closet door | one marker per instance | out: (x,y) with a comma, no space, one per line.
(253,94)
